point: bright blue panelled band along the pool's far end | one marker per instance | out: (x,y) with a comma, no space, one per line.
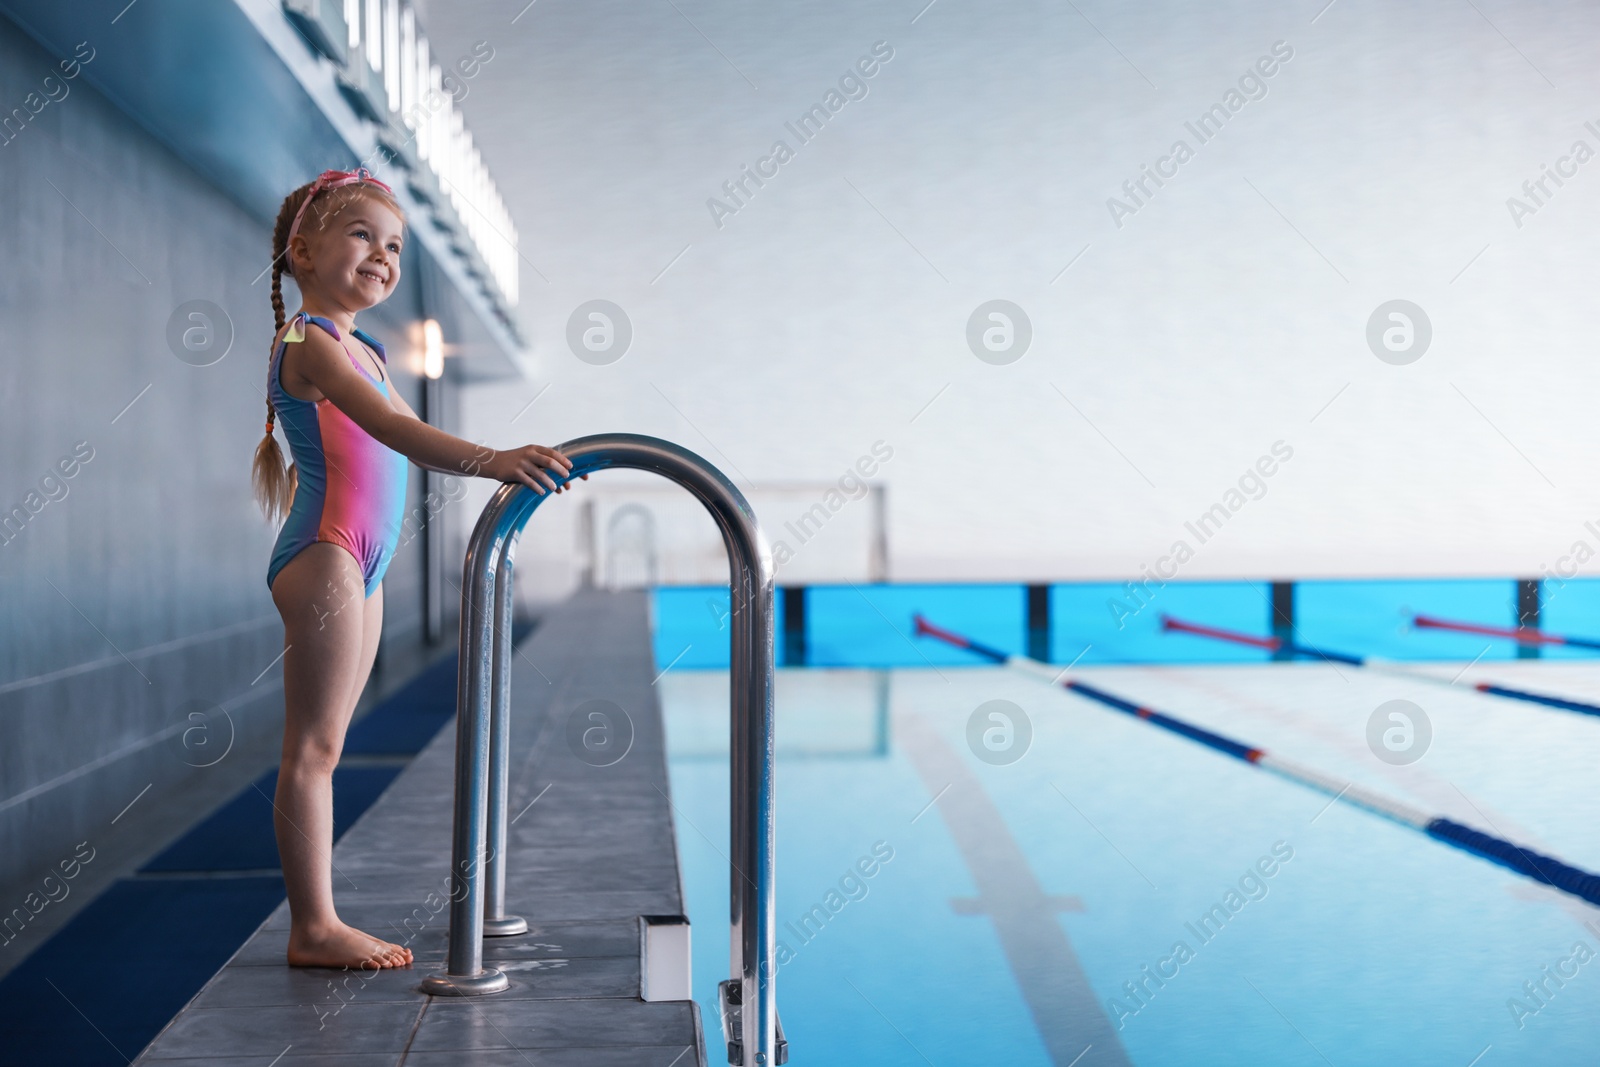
(1100,623)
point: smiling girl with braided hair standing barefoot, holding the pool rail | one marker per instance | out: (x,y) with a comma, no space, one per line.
(351,434)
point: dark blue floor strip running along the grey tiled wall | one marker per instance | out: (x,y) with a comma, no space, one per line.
(102,988)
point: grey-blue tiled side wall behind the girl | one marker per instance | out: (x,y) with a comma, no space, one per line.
(137,594)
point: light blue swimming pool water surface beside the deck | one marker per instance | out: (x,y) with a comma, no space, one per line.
(1119,895)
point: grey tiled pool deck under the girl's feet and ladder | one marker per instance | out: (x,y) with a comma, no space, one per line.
(591,852)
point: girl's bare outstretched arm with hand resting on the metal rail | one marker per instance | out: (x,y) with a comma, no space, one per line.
(326,366)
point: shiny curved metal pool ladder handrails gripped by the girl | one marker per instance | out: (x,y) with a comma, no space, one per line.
(750,1007)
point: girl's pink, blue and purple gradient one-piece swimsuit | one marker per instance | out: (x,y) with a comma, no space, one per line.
(351,489)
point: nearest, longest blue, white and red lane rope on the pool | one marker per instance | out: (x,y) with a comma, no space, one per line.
(1524,861)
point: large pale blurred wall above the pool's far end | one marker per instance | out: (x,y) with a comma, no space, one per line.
(1226,313)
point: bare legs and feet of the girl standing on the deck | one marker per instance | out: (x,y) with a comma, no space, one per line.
(330,652)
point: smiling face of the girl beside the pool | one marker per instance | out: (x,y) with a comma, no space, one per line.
(354,260)
